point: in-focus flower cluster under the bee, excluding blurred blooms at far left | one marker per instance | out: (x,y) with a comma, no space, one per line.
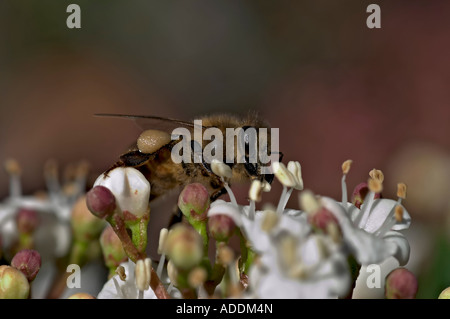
(283,253)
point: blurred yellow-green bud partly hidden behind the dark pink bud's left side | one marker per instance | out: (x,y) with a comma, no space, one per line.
(85,225)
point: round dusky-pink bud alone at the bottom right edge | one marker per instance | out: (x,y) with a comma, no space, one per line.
(401,284)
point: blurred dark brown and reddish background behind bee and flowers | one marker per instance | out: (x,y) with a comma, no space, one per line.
(335,88)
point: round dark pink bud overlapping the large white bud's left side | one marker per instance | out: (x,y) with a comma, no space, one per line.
(100,201)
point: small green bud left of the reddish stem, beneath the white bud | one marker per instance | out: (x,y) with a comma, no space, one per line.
(113,252)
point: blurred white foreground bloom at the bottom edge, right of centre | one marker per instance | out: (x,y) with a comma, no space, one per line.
(313,276)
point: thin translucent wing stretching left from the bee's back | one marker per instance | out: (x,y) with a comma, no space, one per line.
(155,122)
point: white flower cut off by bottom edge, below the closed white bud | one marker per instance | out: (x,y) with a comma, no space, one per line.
(116,288)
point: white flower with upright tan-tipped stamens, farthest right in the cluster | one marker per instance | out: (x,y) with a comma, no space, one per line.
(370,232)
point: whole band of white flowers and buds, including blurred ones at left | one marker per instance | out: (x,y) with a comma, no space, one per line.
(221,249)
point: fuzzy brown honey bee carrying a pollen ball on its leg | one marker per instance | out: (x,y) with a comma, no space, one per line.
(156,163)
